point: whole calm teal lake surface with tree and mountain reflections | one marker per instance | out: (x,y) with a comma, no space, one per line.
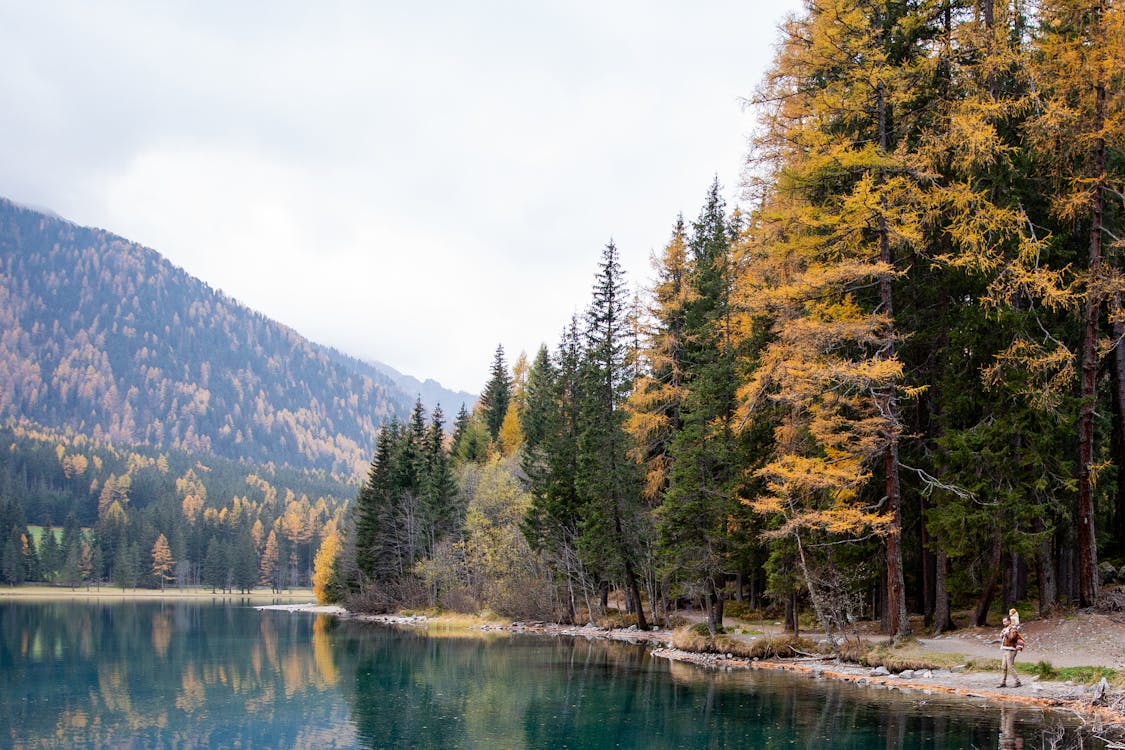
(186,675)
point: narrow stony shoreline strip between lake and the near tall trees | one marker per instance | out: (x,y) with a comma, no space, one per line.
(977,684)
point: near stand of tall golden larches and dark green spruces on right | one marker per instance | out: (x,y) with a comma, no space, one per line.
(894,386)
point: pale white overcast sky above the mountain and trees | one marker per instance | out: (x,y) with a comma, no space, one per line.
(410,183)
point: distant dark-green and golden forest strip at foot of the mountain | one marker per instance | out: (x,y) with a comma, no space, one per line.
(80,512)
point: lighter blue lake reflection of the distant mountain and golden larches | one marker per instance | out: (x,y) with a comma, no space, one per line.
(173,675)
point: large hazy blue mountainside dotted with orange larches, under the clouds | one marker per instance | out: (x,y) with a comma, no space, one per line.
(105,338)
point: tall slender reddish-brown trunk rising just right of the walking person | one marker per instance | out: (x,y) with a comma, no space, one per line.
(1087,546)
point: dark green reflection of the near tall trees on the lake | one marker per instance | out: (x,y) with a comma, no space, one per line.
(528,693)
